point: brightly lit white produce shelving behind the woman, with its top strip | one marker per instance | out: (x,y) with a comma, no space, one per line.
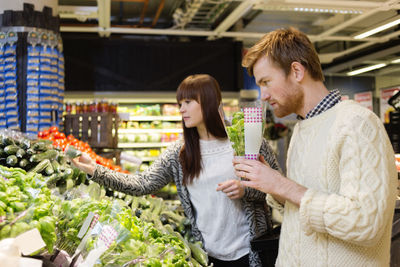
(137,123)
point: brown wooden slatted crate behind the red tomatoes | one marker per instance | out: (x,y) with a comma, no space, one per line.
(100,130)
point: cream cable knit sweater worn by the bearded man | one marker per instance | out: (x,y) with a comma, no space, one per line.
(344,157)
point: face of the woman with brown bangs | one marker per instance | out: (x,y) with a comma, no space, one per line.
(191,113)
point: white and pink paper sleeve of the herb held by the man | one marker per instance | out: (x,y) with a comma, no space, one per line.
(253,117)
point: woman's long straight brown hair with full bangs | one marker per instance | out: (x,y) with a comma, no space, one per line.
(206,91)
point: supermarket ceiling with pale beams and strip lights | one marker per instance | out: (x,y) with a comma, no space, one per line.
(337,28)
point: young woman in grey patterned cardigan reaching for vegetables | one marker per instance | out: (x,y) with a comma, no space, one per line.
(224,215)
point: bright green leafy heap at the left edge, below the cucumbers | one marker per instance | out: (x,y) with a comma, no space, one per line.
(26,203)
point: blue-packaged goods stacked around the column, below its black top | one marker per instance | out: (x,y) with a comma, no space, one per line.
(41,102)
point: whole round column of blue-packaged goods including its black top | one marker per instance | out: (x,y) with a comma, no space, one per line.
(31,70)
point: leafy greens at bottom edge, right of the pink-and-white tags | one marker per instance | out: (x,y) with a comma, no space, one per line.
(142,244)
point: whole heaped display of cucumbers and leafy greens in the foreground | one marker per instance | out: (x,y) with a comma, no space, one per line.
(149,231)
